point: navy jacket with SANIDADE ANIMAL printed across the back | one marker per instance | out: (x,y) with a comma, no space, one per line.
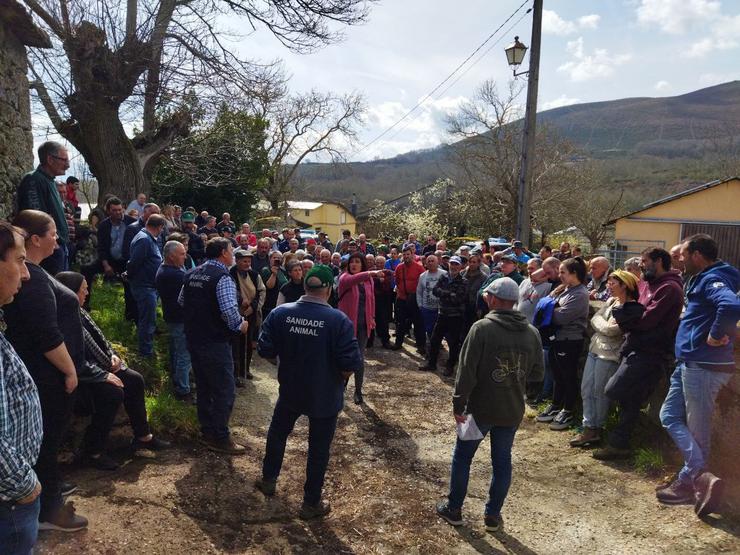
(314,344)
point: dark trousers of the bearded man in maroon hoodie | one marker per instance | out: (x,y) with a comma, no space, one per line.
(631,386)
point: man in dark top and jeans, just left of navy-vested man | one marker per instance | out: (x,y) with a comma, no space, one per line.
(169,279)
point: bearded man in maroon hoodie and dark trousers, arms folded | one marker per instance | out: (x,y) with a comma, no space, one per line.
(648,349)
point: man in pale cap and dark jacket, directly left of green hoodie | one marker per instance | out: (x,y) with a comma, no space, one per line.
(452,291)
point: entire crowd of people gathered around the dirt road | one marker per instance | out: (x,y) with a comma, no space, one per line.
(517,325)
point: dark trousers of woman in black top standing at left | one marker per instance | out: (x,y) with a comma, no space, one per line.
(56,407)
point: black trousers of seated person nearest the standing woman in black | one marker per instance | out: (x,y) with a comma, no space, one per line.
(100,401)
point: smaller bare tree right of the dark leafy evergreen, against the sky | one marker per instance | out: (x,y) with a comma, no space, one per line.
(316,123)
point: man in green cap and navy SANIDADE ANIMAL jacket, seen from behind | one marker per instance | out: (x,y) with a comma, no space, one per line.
(317,353)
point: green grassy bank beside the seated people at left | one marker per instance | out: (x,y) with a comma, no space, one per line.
(166,414)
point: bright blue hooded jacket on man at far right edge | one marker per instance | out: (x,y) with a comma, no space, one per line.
(712,306)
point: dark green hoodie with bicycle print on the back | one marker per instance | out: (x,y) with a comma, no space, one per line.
(502,352)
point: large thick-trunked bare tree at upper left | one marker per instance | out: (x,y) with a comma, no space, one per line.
(115,64)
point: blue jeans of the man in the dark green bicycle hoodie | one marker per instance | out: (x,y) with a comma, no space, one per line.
(502,439)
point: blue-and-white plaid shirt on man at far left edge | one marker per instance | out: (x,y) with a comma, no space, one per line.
(20,425)
